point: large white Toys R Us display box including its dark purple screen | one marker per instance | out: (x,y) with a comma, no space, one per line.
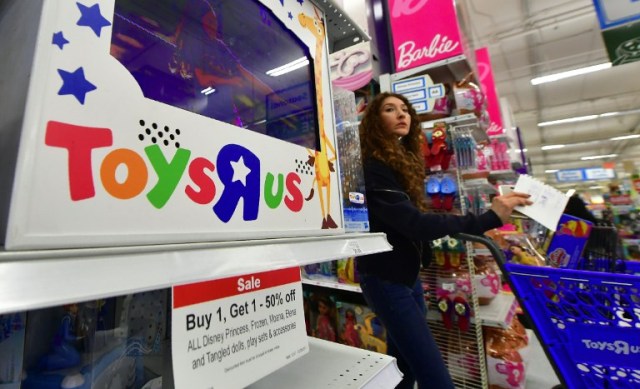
(139,118)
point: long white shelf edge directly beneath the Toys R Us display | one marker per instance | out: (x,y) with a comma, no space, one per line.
(37,279)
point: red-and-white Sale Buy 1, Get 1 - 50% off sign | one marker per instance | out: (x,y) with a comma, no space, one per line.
(231,332)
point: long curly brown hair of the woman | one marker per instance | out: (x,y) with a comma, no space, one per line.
(404,156)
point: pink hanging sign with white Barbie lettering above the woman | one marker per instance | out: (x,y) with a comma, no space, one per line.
(423,31)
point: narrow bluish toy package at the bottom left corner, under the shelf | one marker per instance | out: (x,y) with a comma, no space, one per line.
(12,333)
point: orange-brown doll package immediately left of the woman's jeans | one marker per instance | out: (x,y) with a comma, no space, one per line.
(359,327)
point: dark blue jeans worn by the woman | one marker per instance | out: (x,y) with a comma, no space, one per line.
(403,312)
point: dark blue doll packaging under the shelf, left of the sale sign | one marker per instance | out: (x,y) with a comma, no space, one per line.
(96,344)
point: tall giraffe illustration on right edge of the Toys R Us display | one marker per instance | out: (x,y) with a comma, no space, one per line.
(319,159)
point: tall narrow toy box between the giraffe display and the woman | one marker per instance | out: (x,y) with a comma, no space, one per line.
(354,205)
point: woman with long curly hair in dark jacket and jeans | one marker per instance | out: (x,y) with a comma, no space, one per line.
(390,136)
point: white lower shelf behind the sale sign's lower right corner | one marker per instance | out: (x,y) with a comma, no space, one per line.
(333,365)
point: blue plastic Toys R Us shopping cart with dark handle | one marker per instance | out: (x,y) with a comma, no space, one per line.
(588,322)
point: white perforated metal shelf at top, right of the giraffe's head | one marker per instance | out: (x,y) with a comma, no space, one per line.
(342,31)
